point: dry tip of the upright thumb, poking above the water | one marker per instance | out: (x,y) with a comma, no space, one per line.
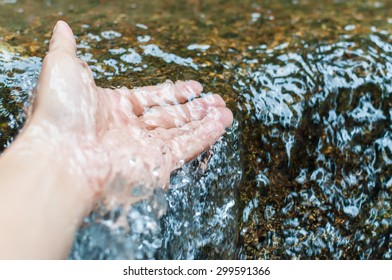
(63,39)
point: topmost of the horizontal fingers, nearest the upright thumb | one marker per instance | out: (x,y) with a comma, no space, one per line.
(164,94)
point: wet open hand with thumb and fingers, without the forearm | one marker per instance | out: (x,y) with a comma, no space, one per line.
(139,135)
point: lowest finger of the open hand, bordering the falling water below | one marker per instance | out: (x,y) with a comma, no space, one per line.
(201,135)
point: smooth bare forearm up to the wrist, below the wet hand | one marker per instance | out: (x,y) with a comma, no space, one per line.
(41,201)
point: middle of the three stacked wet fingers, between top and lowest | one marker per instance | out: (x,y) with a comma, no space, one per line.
(179,115)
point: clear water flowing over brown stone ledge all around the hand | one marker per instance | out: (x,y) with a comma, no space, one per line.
(306,170)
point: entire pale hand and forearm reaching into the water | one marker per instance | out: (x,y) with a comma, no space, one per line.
(79,138)
